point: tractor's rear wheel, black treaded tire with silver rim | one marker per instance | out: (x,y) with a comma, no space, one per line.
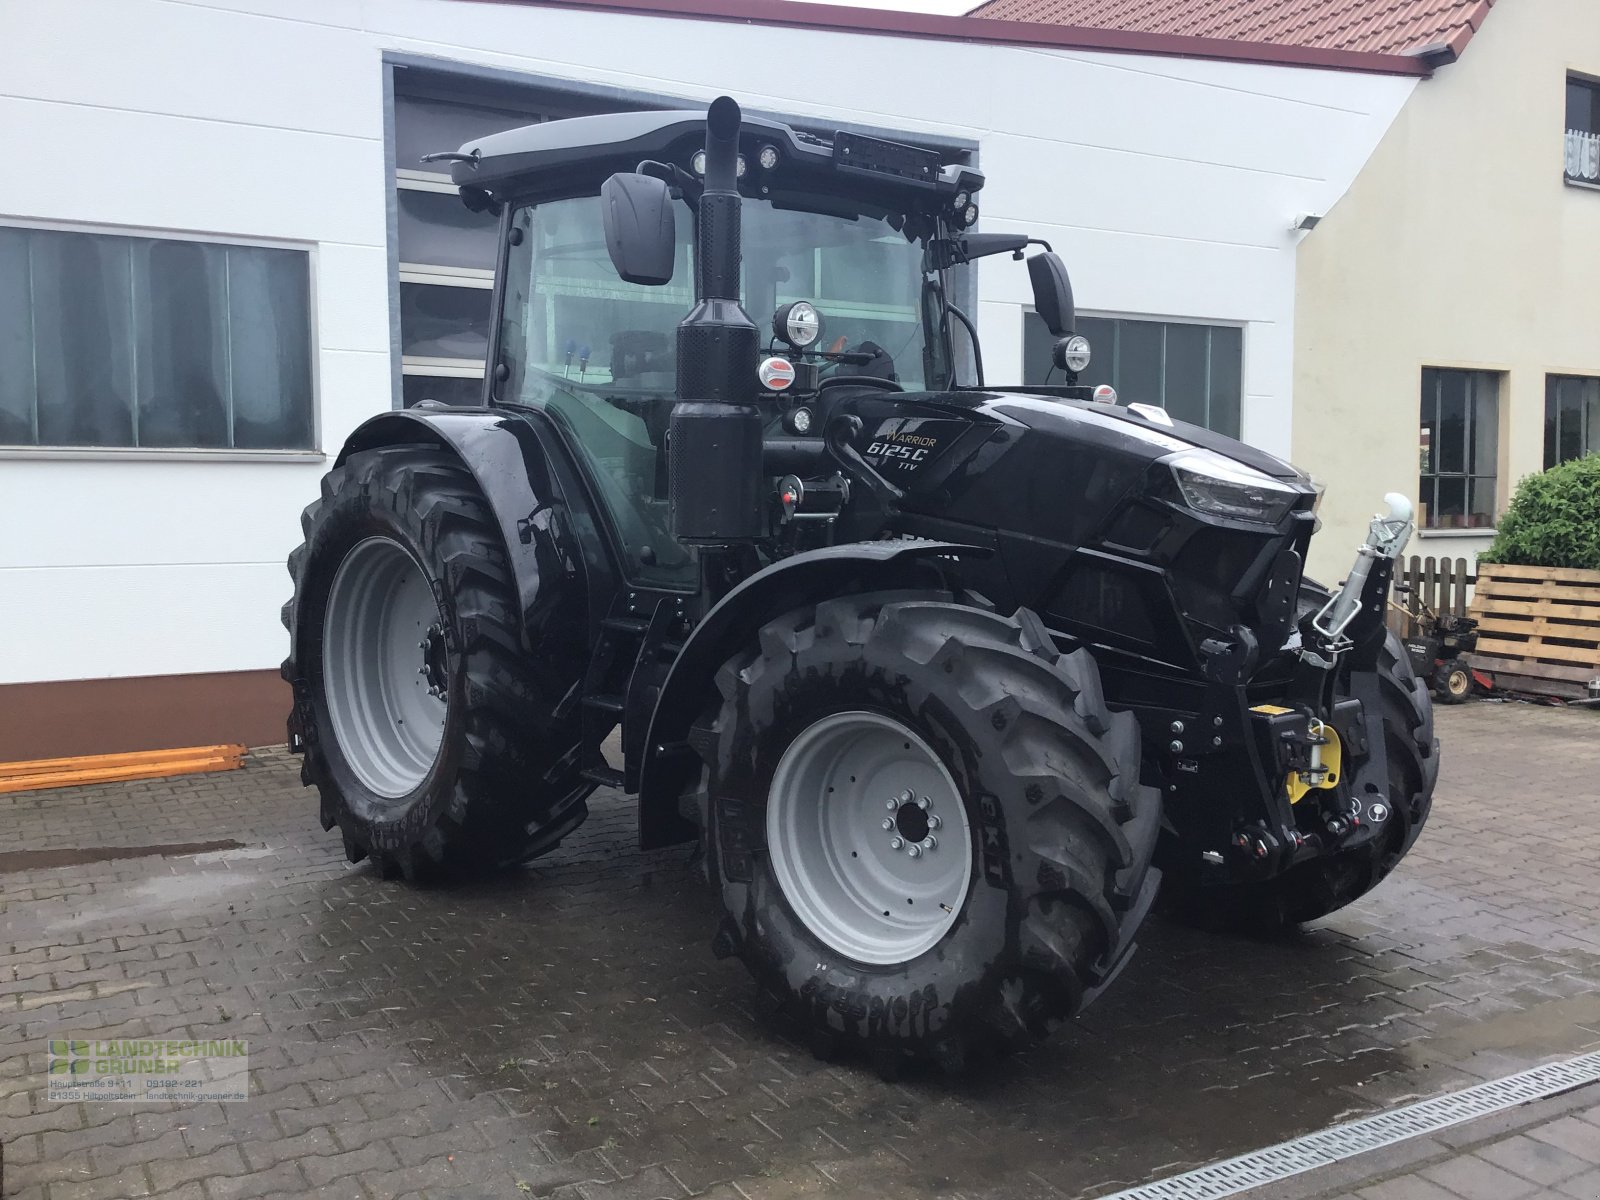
(423,726)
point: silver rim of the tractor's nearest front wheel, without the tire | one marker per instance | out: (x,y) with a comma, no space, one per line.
(846,801)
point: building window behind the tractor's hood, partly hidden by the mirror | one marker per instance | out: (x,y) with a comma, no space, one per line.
(1194,372)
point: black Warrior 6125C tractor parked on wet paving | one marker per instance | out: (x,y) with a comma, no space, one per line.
(940,676)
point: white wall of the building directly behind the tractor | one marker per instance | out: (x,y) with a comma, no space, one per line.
(1167,185)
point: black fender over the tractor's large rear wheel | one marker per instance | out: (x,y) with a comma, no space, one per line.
(522,484)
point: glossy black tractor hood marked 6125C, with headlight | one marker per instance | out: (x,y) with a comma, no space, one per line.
(1106,524)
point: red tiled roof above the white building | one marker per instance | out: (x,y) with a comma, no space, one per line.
(1375,26)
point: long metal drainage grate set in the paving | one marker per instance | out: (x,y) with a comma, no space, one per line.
(1370,1134)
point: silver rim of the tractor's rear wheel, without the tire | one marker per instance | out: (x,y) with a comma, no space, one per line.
(386,670)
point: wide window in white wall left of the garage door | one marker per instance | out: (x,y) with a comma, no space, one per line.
(151,342)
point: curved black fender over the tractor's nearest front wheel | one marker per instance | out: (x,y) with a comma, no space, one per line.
(670,766)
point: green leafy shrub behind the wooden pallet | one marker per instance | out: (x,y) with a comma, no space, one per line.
(1554,519)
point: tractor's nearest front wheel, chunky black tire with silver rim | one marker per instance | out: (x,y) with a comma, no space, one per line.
(1046,834)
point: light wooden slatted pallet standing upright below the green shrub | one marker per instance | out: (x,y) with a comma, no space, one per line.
(1540,628)
